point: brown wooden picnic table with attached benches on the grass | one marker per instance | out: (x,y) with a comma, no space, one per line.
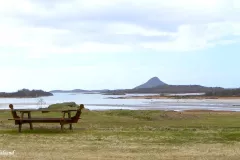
(62,121)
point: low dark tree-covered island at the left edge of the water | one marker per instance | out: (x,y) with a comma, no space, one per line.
(25,93)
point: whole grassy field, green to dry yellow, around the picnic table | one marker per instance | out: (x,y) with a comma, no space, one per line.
(125,134)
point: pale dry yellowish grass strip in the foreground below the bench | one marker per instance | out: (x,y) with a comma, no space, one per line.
(75,146)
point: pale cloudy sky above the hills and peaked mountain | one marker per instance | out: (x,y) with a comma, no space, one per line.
(110,44)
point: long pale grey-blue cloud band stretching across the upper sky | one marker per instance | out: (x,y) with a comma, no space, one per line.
(157,18)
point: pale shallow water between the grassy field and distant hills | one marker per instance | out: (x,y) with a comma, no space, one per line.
(104,102)
